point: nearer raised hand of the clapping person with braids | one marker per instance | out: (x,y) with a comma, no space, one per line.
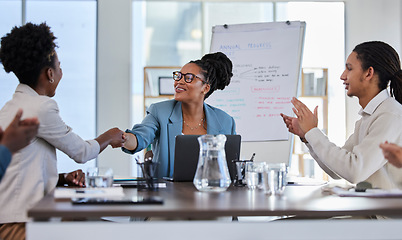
(306,120)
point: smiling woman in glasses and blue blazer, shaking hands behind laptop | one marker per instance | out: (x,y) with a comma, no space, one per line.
(187,113)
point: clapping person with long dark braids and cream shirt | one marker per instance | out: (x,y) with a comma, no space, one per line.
(369,69)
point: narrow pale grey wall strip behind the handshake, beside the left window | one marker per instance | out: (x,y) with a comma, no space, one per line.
(114,77)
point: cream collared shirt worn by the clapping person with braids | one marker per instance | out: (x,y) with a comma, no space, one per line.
(361,158)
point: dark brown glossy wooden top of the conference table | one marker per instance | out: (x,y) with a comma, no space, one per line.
(183,200)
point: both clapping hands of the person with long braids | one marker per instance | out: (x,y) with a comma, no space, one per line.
(304,121)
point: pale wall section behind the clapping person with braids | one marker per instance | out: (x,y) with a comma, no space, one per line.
(366,21)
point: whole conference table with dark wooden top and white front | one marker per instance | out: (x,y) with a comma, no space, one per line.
(183,201)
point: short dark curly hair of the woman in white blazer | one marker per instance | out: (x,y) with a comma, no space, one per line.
(26,50)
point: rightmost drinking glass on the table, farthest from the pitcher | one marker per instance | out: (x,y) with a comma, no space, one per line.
(275,178)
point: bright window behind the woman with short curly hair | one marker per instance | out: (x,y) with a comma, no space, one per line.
(74,25)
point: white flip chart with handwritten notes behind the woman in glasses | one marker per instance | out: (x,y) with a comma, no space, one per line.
(266,61)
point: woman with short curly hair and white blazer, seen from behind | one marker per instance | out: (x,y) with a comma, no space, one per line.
(29,52)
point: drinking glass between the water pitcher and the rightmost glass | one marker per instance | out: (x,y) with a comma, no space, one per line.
(255,175)
